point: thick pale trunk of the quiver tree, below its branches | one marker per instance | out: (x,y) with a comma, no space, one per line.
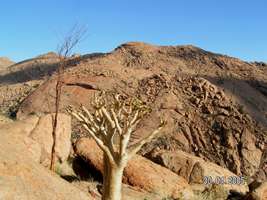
(112,181)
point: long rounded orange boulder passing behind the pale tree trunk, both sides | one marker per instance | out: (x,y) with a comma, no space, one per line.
(139,172)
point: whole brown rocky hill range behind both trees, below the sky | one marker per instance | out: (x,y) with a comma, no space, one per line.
(215,105)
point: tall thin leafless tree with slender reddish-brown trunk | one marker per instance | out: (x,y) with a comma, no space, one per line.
(75,35)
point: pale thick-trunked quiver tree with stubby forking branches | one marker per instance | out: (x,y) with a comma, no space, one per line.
(111,125)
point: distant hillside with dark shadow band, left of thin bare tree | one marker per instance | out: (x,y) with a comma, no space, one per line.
(18,80)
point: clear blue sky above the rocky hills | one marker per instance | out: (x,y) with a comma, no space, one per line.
(234,27)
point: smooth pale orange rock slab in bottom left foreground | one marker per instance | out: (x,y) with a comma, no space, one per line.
(24,179)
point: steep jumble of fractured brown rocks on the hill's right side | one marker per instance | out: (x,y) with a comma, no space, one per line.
(216,130)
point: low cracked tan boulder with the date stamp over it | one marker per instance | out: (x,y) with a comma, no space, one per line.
(197,171)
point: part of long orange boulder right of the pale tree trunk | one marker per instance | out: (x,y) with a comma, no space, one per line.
(143,173)
